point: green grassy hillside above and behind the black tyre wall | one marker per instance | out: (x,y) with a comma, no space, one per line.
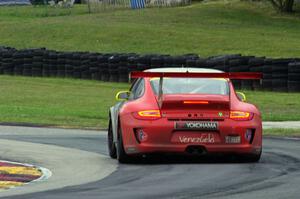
(208,28)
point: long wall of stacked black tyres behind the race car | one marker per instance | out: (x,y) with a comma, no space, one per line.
(278,74)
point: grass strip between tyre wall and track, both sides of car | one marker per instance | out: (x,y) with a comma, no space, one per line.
(85,103)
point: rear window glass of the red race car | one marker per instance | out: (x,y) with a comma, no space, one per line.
(192,86)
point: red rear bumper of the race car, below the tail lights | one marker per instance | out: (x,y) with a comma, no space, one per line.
(160,132)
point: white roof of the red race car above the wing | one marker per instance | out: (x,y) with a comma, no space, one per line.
(183,70)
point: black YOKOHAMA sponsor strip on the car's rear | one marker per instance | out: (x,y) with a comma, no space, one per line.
(197,125)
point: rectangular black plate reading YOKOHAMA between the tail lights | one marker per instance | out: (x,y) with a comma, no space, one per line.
(196,125)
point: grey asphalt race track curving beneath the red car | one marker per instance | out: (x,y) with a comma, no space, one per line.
(277,175)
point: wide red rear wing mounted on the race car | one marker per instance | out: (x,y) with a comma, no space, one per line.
(161,75)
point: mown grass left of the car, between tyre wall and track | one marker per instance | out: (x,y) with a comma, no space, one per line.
(57,102)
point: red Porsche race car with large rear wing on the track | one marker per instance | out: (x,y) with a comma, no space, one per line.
(187,111)
